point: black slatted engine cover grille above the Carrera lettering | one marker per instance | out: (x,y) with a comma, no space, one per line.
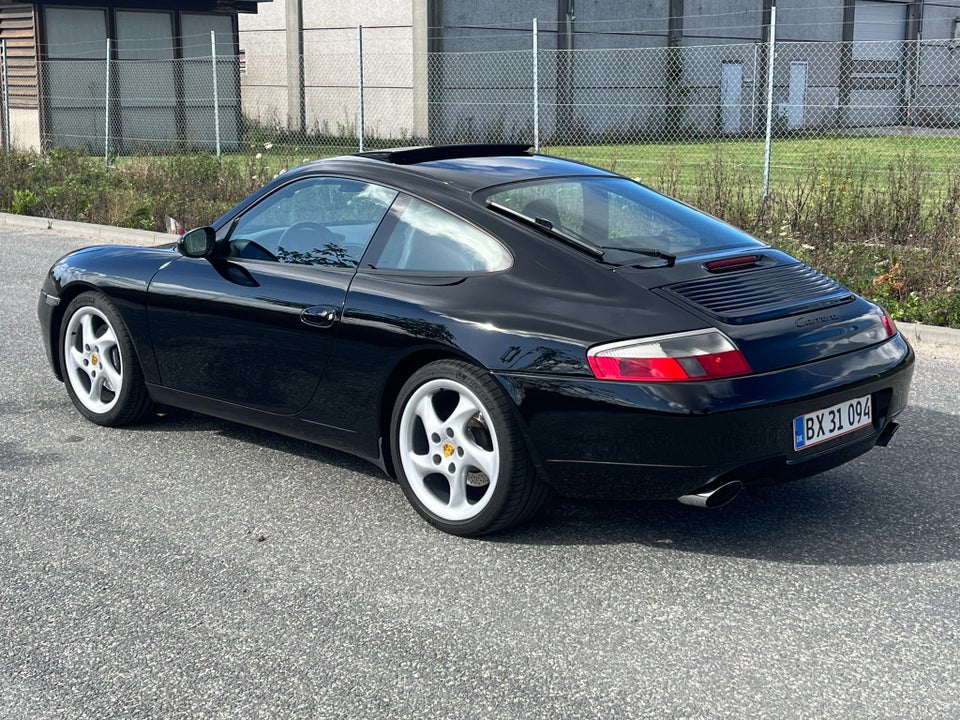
(762,294)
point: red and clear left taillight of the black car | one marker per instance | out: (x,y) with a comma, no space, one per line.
(699,355)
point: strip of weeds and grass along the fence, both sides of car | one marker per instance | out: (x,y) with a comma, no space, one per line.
(888,230)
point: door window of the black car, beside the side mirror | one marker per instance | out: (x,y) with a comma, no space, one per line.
(319,221)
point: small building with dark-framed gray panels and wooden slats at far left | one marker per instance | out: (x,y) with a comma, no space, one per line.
(129,74)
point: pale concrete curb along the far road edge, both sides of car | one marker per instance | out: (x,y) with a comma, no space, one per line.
(914,332)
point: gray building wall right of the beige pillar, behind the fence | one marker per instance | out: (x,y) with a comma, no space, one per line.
(699,67)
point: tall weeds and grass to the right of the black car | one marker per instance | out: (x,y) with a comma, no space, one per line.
(893,236)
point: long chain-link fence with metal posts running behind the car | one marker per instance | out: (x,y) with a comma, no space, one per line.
(355,88)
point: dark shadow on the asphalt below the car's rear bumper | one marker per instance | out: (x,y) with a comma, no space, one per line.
(892,505)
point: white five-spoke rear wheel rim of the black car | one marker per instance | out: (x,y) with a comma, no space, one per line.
(449,449)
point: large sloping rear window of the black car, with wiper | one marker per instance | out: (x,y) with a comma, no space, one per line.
(620,216)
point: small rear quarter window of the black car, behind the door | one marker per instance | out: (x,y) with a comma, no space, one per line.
(428,239)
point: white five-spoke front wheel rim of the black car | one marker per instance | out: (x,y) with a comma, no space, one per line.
(93,363)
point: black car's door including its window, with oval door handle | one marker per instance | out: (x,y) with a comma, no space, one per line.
(255,327)
